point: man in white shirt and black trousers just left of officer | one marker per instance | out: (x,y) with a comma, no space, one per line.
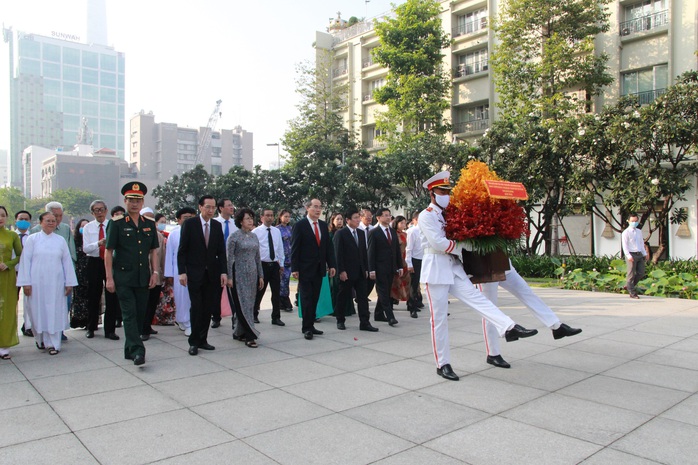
(93,241)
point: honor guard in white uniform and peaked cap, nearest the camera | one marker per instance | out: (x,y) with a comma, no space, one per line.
(443,274)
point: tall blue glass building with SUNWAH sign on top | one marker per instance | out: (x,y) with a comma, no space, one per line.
(57,83)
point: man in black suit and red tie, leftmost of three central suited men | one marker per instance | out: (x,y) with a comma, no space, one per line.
(311,256)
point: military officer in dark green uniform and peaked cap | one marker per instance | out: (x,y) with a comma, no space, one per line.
(131,266)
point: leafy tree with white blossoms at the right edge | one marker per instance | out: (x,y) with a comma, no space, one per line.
(642,159)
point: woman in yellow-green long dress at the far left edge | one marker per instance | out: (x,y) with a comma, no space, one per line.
(9,243)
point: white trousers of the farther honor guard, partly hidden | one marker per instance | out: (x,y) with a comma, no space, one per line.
(517,287)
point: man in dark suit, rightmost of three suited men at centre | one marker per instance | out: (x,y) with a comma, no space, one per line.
(384,261)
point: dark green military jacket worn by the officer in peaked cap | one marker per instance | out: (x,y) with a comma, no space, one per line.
(131,246)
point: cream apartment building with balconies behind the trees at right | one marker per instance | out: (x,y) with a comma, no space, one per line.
(649,43)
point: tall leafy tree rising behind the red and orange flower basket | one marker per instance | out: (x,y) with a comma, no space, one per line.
(544,61)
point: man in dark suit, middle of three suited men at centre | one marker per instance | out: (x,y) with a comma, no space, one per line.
(352,267)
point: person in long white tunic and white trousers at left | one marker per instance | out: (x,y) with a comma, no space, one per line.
(46,275)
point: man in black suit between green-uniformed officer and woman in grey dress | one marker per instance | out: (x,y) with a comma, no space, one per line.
(203,268)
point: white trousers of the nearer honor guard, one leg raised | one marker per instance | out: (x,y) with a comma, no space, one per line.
(463,290)
